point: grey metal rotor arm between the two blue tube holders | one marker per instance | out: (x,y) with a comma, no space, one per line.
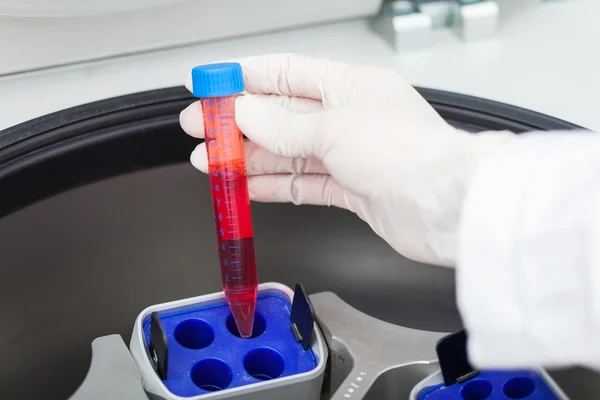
(370,358)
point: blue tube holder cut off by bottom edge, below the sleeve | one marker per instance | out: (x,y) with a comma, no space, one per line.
(491,385)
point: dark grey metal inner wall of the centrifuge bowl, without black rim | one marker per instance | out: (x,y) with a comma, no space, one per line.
(84,263)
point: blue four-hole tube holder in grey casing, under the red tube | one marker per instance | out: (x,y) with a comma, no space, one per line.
(207,359)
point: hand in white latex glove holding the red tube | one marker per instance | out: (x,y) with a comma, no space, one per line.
(356,137)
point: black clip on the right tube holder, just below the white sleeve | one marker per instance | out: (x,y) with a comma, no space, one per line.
(452,356)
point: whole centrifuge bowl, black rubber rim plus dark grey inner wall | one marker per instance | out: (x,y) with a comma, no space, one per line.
(101,215)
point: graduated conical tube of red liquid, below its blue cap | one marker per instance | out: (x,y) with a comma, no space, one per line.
(231,206)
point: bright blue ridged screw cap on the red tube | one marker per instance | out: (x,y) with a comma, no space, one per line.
(217,80)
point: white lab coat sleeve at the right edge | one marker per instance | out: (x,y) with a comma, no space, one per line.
(528,259)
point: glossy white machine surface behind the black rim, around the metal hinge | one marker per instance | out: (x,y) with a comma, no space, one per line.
(545,57)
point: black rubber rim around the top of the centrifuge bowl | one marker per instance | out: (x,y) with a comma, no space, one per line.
(80,145)
